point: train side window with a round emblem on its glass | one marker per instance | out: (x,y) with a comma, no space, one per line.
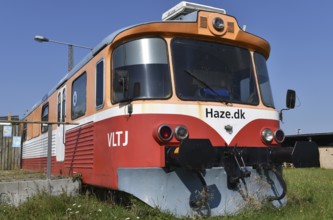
(79,96)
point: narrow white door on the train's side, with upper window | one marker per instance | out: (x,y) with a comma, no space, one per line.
(60,131)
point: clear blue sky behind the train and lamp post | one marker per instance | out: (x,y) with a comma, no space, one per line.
(299,32)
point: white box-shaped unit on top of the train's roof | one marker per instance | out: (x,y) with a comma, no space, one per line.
(184,8)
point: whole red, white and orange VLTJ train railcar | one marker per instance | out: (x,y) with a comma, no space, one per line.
(178,113)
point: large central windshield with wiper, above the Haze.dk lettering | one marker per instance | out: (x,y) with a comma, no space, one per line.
(211,71)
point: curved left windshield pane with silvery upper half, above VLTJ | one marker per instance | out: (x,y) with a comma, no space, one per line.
(141,70)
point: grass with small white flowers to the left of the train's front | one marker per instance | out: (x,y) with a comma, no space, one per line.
(43,207)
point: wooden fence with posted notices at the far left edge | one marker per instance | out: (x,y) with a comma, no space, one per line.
(10,145)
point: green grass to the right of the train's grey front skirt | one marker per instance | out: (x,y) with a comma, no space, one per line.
(310,196)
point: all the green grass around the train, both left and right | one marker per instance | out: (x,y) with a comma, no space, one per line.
(310,196)
